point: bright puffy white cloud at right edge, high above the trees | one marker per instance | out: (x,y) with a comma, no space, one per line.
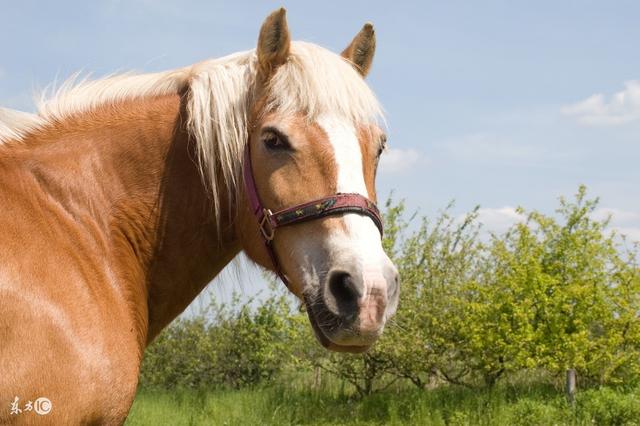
(623,107)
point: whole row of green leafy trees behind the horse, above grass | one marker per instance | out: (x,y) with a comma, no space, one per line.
(554,293)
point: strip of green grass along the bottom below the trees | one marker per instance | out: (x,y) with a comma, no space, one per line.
(279,405)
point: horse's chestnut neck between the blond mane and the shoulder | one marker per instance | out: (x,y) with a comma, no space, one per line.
(146,195)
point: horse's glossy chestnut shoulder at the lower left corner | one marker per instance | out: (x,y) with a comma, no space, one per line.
(66,331)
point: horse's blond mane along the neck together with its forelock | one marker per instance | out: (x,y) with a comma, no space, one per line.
(221,91)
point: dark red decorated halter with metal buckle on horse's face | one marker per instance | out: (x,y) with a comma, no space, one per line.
(269,221)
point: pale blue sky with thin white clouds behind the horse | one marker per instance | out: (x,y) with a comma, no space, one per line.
(495,103)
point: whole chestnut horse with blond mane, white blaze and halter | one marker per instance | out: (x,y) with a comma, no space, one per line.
(123,197)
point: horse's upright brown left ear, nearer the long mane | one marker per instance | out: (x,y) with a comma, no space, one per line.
(274,42)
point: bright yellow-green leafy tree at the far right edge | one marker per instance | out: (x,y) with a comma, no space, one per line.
(551,294)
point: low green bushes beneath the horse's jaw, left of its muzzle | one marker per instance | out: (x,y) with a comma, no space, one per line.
(230,345)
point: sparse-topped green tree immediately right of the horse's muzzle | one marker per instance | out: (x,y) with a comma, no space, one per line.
(434,263)
